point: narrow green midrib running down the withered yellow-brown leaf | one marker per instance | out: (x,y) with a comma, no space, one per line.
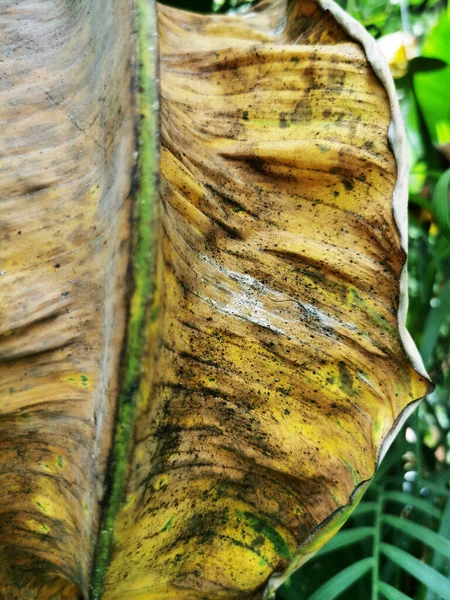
(143,266)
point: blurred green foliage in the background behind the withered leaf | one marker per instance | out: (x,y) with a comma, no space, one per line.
(397,543)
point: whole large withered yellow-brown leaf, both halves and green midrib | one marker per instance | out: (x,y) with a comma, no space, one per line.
(232,337)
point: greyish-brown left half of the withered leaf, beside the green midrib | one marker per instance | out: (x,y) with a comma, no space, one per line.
(66,155)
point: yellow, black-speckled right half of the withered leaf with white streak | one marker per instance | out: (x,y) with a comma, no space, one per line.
(277,368)
